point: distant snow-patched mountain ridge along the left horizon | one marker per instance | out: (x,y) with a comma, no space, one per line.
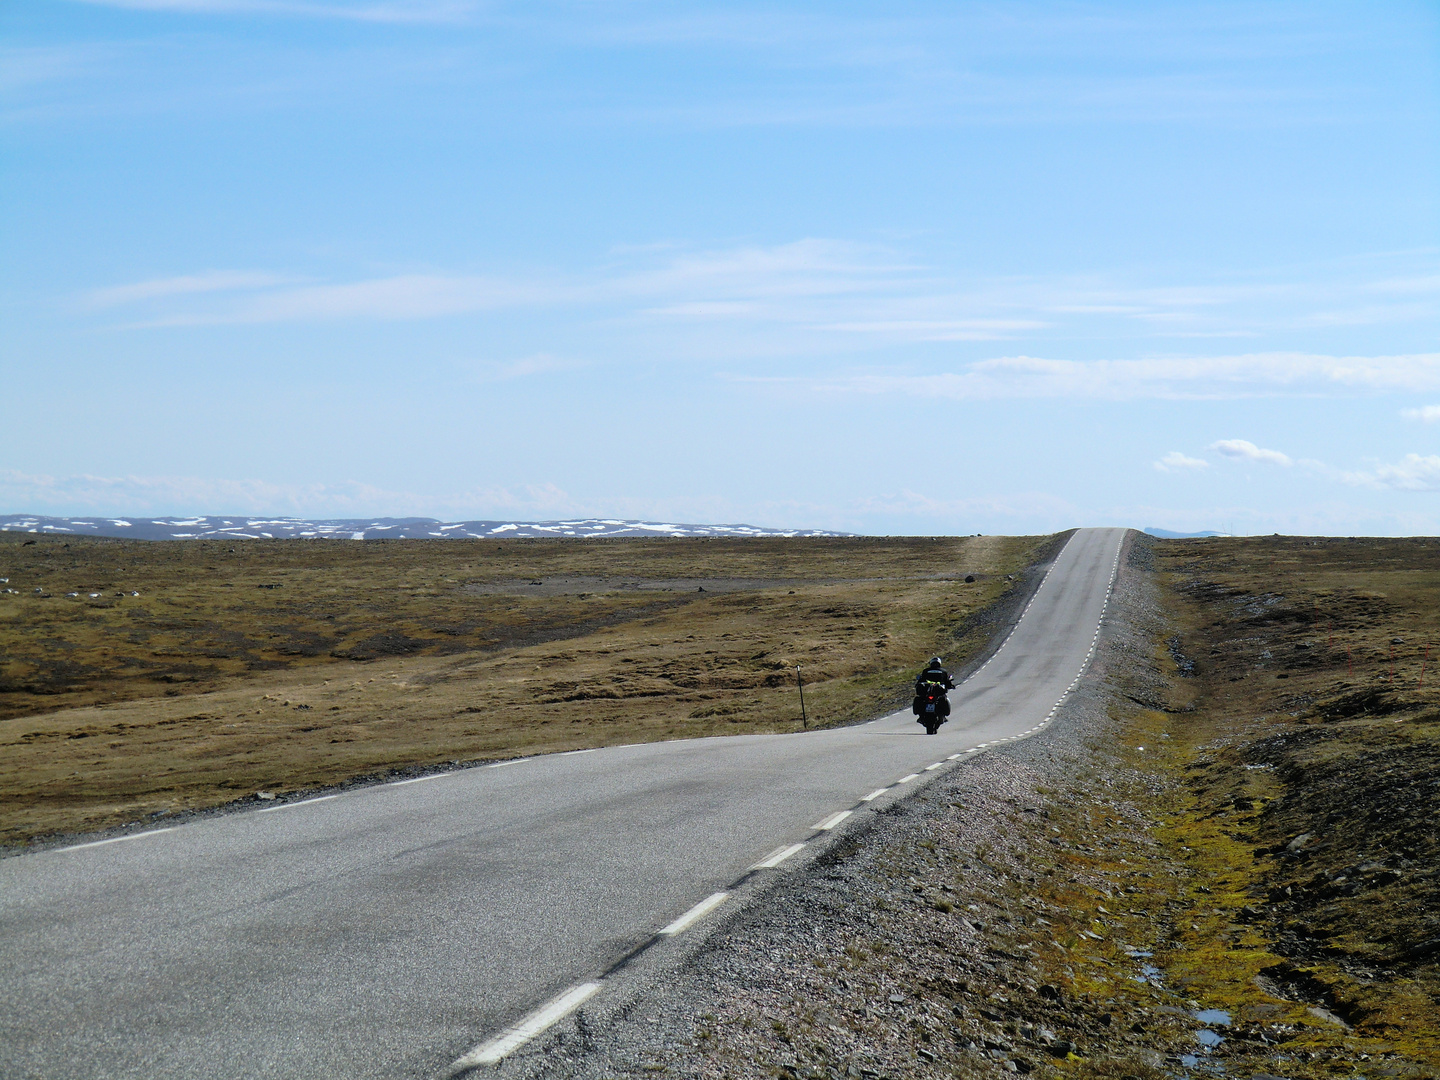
(250,528)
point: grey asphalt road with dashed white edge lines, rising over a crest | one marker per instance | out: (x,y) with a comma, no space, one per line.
(390,931)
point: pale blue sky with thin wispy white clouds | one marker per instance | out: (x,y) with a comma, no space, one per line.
(891,269)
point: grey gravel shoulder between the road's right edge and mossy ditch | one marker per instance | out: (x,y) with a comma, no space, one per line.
(827,970)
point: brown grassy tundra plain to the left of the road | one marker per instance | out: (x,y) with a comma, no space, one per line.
(286,666)
